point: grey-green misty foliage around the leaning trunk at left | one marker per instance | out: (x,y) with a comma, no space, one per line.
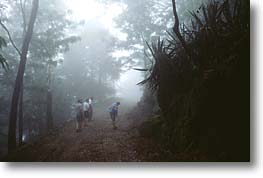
(50,40)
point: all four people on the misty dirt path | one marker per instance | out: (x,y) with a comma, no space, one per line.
(84,113)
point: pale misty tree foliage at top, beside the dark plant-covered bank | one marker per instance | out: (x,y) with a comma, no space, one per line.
(144,20)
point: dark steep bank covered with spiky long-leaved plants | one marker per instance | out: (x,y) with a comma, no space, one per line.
(201,77)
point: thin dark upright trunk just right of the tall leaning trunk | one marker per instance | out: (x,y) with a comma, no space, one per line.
(20,121)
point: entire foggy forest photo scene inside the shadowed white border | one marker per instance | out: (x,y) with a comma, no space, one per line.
(124,80)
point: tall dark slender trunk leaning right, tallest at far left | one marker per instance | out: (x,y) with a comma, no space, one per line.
(20,77)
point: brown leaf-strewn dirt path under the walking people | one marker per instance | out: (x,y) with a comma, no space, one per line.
(98,142)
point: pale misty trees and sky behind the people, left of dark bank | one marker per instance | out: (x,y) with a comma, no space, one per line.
(79,49)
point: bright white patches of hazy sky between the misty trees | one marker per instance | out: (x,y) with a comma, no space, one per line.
(104,14)
